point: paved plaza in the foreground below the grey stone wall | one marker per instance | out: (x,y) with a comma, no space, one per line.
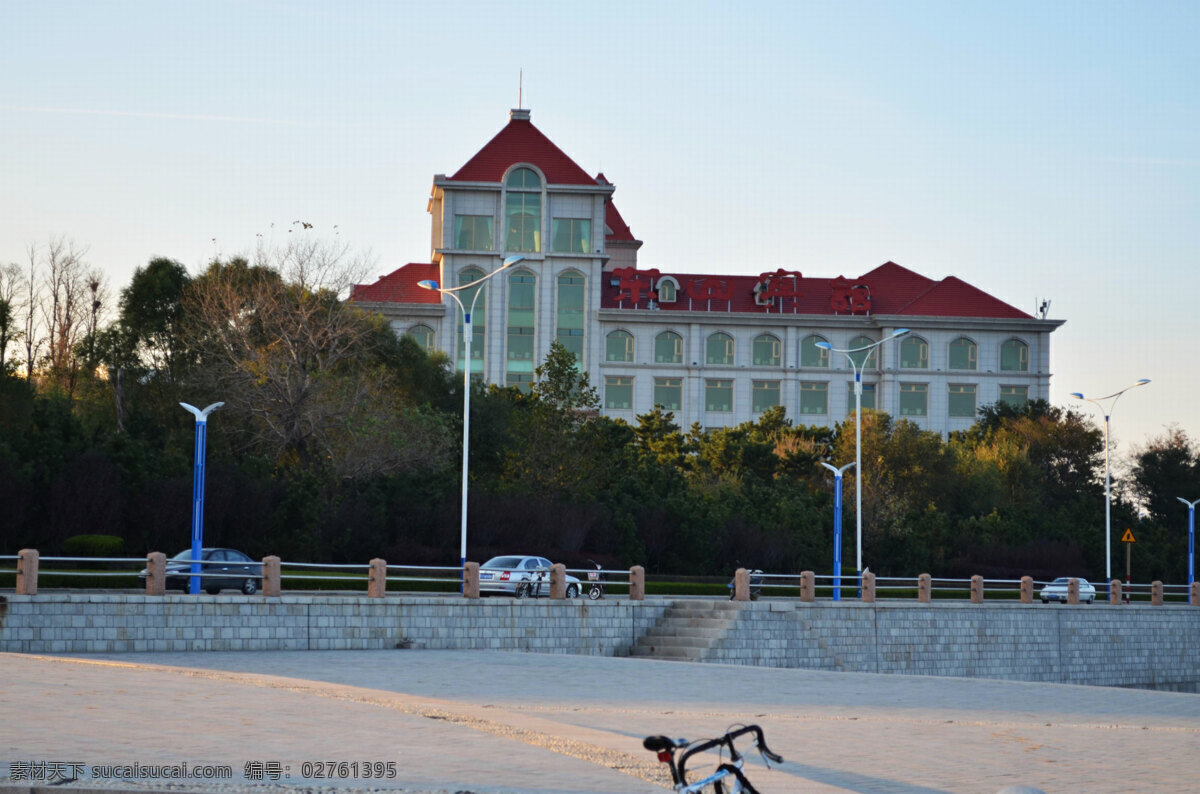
(482,721)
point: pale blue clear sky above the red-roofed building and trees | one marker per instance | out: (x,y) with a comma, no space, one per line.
(1042,152)
